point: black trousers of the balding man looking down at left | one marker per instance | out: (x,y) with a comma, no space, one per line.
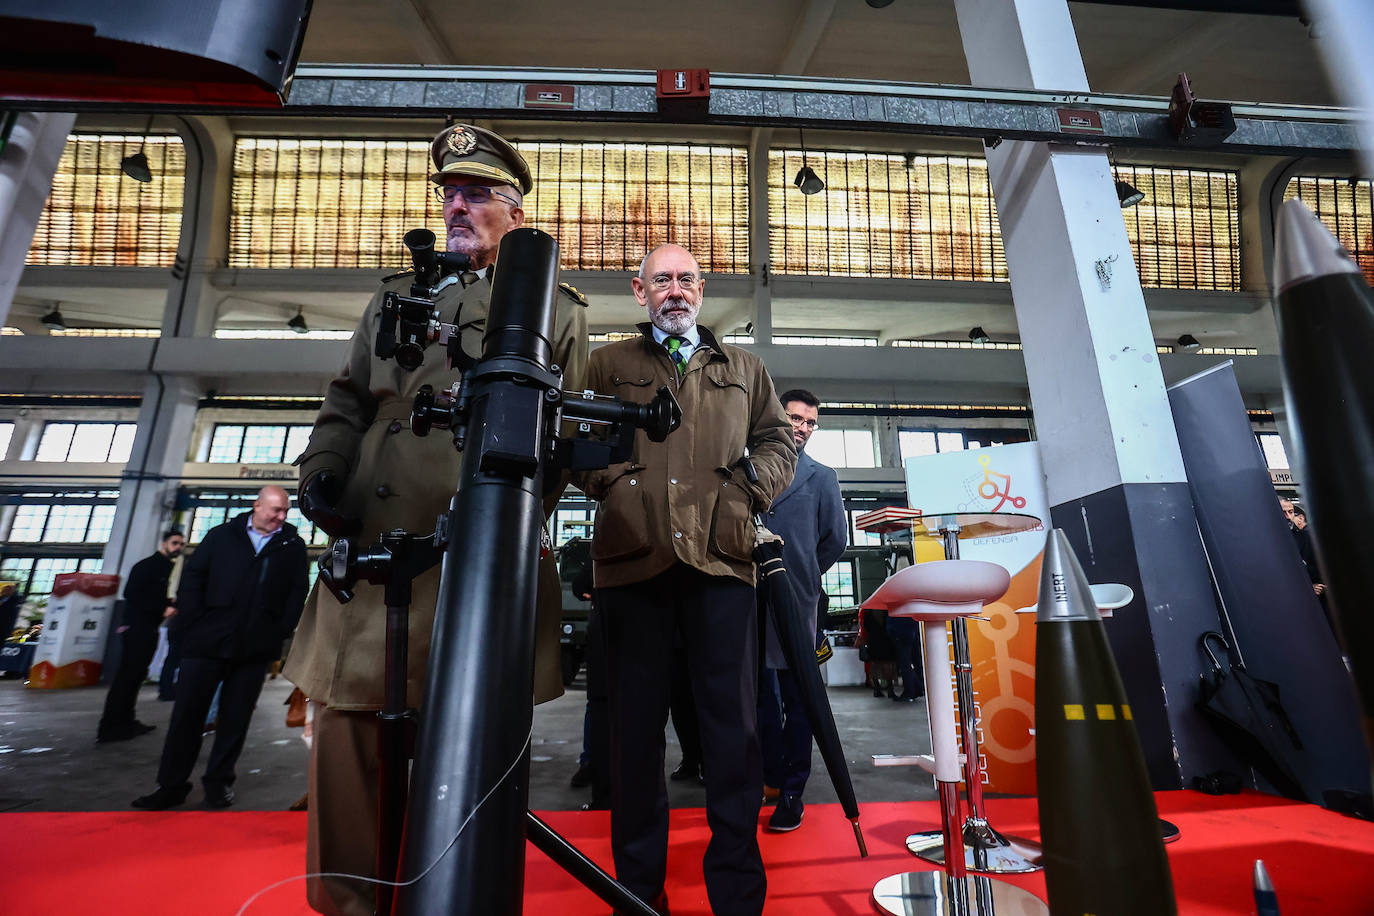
(196,687)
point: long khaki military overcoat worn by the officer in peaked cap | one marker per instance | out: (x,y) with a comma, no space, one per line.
(394,479)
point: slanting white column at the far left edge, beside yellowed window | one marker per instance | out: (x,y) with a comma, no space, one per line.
(28,164)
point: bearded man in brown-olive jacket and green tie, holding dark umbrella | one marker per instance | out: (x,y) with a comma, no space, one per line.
(673,556)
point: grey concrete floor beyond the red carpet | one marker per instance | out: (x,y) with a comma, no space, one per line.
(50,760)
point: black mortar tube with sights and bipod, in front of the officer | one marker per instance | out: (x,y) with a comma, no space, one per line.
(462,845)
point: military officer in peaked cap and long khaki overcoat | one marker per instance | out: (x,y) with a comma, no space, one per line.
(365,473)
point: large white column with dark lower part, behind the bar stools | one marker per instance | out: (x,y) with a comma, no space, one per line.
(1111,453)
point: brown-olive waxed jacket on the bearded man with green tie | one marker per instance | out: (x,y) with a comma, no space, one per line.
(685,499)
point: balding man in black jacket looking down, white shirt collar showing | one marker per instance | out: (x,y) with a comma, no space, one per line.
(241,597)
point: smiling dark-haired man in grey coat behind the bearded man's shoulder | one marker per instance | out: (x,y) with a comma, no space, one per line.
(810,516)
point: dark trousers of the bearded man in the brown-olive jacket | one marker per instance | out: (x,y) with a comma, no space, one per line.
(715,619)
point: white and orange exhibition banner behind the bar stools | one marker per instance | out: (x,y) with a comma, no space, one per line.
(1005,479)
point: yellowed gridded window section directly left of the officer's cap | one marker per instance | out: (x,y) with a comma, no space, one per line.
(329,204)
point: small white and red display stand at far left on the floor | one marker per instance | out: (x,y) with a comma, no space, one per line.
(75,630)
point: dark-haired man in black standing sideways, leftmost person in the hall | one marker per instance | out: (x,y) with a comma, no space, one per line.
(145,606)
